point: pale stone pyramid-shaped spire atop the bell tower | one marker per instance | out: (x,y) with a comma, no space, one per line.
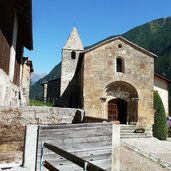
(73,42)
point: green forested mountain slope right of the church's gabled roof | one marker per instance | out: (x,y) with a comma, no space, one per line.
(155,37)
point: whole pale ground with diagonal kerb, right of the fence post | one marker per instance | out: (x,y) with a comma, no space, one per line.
(145,154)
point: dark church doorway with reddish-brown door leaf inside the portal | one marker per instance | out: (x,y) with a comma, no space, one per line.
(117,110)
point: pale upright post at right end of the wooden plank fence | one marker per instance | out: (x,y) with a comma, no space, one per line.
(115,147)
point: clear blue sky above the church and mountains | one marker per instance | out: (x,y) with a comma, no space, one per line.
(94,19)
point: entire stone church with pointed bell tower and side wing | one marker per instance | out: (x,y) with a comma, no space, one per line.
(113,79)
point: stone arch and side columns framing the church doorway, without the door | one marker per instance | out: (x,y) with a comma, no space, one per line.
(125,91)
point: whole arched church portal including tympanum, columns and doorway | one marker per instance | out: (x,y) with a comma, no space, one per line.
(122,102)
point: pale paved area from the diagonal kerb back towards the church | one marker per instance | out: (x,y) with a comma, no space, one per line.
(151,148)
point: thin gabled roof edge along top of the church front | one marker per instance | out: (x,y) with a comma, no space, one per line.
(125,41)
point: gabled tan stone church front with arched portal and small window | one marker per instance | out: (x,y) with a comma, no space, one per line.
(118,78)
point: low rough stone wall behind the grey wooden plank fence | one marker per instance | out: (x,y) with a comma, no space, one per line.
(14,120)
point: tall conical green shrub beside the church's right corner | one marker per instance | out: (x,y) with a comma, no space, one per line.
(160,129)
